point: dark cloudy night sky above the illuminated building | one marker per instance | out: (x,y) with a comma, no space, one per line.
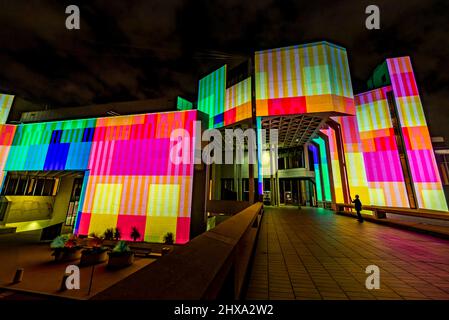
(132,50)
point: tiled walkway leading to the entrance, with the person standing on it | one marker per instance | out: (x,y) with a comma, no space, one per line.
(315,254)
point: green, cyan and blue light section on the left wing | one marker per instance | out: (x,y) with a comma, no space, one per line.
(63,145)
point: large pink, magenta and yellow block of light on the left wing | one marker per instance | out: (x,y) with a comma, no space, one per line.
(132,181)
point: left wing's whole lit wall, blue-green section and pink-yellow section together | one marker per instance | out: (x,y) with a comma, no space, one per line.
(129,179)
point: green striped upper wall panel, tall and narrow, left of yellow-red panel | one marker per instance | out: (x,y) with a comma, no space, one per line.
(212,95)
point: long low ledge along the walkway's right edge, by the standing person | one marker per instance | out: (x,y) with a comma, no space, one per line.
(380,211)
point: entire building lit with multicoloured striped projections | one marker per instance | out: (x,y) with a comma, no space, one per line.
(115,172)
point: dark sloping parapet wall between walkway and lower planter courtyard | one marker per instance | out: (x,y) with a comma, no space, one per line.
(212,265)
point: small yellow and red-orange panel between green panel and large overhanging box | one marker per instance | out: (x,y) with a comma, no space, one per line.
(238,102)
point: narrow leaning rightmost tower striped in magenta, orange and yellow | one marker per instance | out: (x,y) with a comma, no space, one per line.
(420,154)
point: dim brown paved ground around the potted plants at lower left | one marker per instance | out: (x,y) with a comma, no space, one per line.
(43,275)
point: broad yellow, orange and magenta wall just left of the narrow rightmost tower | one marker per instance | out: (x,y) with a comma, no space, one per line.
(380,151)
